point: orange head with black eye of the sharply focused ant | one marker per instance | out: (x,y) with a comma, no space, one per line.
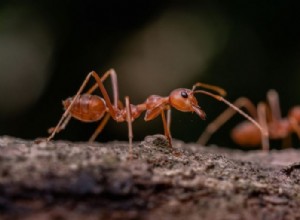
(185,101)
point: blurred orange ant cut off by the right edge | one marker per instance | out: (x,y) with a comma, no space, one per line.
(268,115)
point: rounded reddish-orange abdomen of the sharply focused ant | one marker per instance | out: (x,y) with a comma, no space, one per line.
(86,107)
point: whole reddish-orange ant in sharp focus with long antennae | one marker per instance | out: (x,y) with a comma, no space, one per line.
(91,108)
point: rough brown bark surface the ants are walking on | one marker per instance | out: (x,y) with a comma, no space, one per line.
(64,180)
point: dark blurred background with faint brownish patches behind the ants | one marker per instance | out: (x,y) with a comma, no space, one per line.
(48,47)
